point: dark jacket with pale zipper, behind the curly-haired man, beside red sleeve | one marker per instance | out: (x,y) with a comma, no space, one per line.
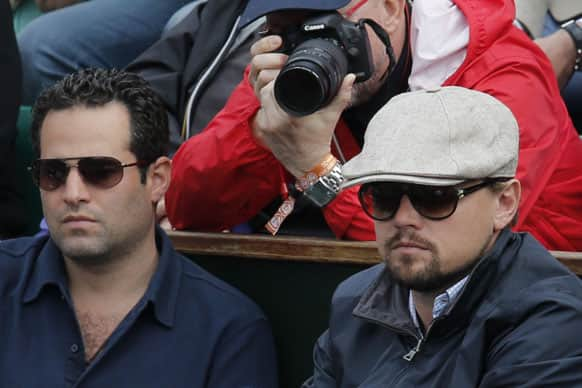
(206,50)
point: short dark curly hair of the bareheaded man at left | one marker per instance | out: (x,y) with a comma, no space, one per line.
(149,133)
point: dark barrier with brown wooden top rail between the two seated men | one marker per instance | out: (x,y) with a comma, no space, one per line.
(292,279)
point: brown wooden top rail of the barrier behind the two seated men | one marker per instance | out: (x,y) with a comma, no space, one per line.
(301,248)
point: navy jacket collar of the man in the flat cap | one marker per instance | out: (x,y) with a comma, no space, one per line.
(385,302)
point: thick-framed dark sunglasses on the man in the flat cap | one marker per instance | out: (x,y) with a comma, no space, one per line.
(381,200)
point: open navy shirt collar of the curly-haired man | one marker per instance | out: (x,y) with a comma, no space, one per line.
(162,292)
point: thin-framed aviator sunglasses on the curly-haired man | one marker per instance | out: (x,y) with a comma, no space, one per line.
(99,171)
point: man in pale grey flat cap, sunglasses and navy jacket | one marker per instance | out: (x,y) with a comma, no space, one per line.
(459,300)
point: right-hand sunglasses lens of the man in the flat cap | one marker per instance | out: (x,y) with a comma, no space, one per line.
(435,203)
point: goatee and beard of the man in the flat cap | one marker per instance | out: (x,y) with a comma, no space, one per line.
(431,277)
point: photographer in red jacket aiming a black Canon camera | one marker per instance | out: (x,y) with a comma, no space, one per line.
(257,159)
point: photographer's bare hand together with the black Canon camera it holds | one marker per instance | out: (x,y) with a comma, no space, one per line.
(303,94)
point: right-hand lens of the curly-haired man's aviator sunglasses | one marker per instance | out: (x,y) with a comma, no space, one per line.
(103,172)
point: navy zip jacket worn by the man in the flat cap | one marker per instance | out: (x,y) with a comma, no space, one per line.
(517,323)
